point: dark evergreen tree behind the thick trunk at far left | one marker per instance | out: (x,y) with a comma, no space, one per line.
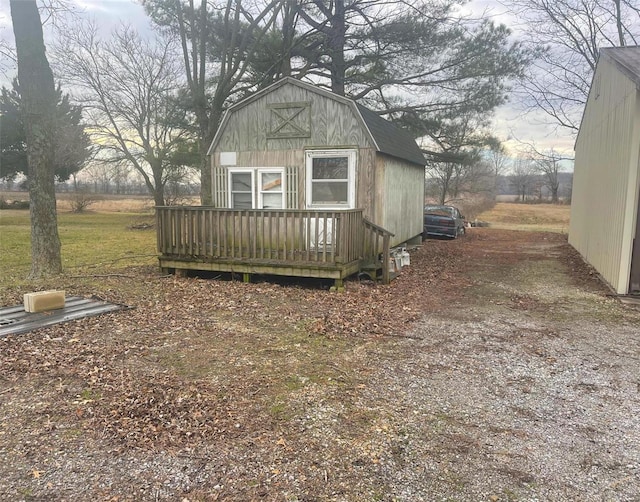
(72,145)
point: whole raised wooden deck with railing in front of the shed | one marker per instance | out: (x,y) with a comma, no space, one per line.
(322,244)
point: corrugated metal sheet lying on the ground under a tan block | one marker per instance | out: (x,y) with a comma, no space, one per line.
(14,320)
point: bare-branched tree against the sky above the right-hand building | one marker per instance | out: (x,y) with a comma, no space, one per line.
(570,33)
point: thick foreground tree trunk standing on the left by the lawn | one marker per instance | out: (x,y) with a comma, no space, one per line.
(38,108)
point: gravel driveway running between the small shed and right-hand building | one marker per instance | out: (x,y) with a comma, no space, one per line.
(529,390)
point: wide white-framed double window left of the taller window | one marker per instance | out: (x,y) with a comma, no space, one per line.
(268,193)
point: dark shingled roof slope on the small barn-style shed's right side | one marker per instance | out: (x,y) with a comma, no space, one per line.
(391,139)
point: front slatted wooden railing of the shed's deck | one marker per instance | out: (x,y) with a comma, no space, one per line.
(281,235)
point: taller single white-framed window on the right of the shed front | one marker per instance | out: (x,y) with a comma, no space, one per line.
(331,179)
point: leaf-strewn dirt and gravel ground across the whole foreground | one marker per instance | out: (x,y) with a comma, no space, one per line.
(495,368)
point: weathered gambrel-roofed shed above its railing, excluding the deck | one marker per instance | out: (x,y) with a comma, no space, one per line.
(292,126)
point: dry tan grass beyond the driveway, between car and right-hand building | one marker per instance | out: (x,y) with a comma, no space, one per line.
(532,217)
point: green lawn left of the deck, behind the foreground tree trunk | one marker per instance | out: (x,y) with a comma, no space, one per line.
(89,240)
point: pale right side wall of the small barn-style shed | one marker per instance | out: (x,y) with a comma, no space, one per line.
(401,192)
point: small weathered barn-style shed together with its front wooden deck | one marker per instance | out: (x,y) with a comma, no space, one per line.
(305,182)
